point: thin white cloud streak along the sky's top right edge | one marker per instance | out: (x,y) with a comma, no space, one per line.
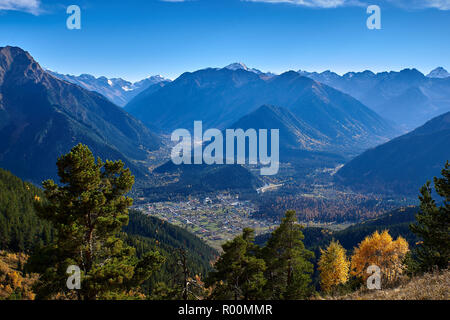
(406,4)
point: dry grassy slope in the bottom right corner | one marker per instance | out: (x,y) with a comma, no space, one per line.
(431,286)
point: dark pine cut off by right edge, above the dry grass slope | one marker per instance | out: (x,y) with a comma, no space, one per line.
(433,225)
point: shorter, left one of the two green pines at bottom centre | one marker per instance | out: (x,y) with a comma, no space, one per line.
(239,272)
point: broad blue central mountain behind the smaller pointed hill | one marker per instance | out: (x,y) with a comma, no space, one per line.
(220,97)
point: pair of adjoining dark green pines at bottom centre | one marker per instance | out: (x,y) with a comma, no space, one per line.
(280,270)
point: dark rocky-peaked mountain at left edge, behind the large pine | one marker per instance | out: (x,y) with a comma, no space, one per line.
(42,117)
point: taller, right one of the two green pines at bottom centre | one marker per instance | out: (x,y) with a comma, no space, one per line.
(288,266)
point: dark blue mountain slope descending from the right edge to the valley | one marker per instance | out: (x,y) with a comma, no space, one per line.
(404,164)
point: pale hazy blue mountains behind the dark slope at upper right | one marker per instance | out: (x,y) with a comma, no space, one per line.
(408,97)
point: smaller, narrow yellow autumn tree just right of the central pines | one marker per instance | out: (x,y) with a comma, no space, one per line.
(334,266)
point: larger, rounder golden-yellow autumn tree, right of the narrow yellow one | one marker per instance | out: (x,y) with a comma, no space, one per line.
(381,250)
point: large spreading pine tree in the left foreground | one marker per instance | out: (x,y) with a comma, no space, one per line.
(88,211)
